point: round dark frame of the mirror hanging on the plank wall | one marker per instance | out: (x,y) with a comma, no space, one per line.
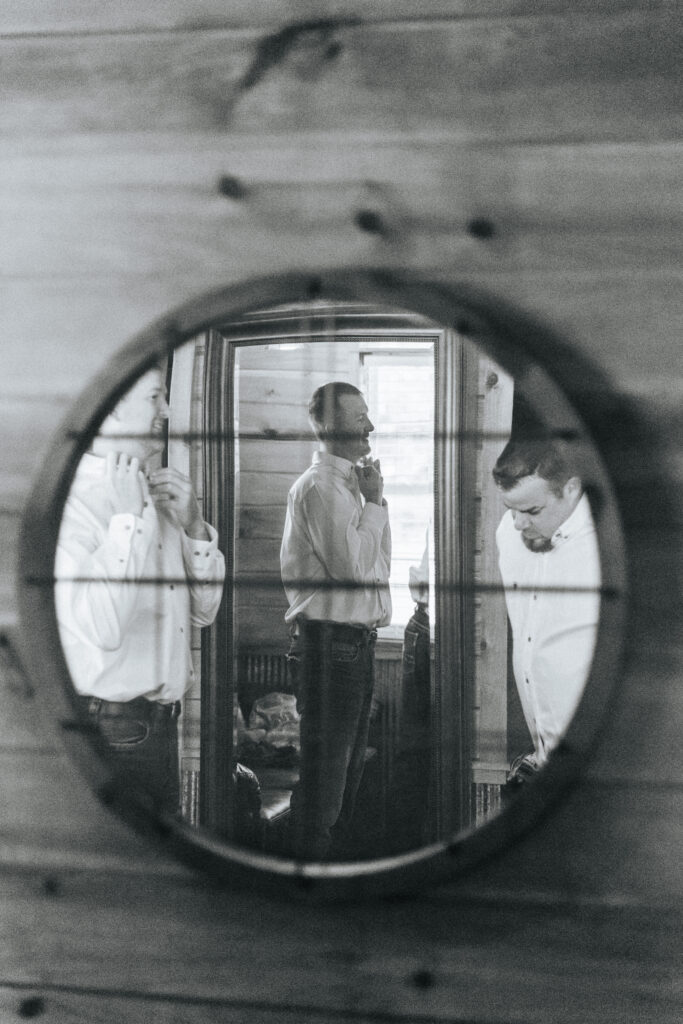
(518,345)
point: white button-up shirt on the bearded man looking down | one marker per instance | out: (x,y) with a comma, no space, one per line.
(553,605)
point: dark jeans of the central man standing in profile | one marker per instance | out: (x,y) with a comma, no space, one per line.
(332,670)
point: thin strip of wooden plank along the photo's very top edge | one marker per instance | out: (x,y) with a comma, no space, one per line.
(72,16)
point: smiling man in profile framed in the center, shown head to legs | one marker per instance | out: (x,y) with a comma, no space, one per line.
(335,561)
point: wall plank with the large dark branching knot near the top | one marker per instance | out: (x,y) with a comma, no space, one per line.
(608,77)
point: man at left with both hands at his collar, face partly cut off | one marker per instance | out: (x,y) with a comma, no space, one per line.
(127,642)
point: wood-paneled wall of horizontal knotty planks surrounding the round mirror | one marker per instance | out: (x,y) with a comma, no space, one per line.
(154,150)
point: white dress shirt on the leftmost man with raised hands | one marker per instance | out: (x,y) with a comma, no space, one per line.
(124,638)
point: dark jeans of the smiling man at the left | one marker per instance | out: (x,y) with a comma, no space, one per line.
(143,738)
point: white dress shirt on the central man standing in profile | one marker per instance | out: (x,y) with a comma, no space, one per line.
(332,535)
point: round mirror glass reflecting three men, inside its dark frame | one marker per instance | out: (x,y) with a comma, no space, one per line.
(347,605)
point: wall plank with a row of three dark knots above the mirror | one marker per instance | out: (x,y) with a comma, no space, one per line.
(153,200)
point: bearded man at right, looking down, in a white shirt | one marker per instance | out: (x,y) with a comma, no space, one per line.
(550,568)
